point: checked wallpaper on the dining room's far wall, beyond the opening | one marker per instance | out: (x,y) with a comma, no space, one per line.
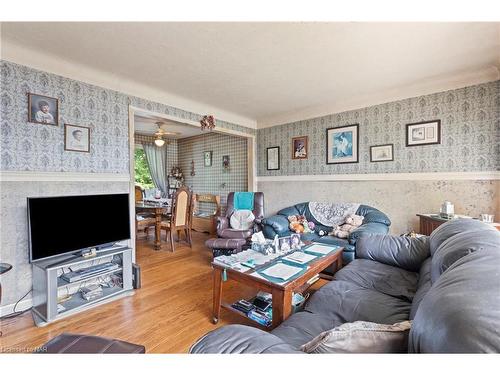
(214,179)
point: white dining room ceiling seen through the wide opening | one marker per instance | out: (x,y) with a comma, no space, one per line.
(146,124)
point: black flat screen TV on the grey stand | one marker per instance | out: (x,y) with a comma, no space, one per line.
(60,225)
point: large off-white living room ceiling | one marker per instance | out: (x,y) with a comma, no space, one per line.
(264,70)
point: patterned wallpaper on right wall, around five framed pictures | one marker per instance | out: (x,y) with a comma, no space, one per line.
(470,123)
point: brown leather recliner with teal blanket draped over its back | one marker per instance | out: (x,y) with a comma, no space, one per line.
(224,229)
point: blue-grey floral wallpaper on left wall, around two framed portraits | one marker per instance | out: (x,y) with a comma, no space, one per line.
(33,147)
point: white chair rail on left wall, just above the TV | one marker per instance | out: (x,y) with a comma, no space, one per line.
(62,176)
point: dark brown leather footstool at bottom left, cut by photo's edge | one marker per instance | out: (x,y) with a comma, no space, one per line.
(69,343)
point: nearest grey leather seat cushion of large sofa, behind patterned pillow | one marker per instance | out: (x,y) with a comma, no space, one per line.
(345,301)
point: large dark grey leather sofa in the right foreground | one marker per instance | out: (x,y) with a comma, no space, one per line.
(447,283)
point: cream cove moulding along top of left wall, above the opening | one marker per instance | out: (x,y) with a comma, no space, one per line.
(20,54)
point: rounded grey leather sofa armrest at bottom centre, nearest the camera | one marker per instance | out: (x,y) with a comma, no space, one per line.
(237,338)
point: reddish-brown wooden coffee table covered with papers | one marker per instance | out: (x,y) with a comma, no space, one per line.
(281,293)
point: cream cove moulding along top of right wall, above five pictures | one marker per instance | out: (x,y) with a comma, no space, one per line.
(425,87)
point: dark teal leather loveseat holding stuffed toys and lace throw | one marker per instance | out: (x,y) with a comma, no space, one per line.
(374,221)
